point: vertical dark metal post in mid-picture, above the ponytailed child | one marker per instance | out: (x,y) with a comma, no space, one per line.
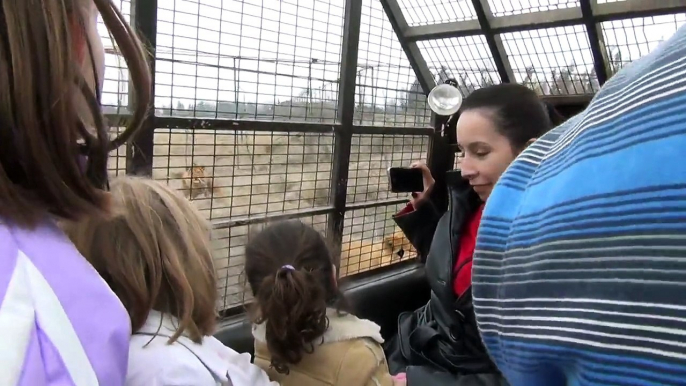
(343,133)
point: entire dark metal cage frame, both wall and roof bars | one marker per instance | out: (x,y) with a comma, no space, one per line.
(139,152)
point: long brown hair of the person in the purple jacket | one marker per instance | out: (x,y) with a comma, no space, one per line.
(53,141)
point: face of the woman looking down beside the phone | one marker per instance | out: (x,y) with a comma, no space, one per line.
(484,152)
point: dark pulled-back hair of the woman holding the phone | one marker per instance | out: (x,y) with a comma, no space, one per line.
(516,110)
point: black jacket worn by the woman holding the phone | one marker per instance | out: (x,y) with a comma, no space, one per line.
(439,343)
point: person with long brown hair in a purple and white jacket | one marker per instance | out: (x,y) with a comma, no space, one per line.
(59,321)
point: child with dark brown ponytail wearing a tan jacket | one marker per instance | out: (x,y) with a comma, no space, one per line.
(302,336)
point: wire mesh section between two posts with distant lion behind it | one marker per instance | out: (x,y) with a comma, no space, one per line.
(234,173)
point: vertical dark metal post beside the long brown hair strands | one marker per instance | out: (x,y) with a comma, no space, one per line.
(140,151)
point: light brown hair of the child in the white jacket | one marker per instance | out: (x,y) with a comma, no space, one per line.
(154,251)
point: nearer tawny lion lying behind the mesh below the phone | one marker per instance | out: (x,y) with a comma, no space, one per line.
(363,255)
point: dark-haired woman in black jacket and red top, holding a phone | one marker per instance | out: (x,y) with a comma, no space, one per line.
(440,343)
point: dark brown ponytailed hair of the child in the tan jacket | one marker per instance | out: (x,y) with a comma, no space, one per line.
(292,277)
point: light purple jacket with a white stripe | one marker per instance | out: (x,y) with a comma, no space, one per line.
(60,324)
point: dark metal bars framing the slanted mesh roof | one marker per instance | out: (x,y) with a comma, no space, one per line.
(589,13)
